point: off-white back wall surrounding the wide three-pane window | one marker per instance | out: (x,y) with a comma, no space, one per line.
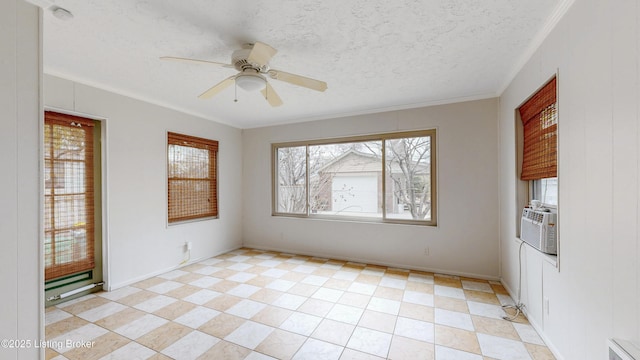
(464,242)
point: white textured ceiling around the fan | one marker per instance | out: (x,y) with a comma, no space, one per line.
(374,55)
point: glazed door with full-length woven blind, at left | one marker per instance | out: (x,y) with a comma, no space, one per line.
(72,218)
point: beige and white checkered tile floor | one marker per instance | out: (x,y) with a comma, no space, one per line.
(251,304)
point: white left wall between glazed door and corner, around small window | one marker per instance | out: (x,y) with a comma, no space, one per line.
(139,242)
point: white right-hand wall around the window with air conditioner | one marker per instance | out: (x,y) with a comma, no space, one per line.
(595,293)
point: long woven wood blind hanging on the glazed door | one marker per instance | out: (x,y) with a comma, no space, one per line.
(69,195)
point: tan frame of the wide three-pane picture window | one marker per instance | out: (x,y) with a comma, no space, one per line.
(432,133)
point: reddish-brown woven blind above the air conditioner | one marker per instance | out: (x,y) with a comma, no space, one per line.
(540,127)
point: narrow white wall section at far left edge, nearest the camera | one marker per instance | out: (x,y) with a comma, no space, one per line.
(21,279)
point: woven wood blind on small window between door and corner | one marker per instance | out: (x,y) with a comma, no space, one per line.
(192,177)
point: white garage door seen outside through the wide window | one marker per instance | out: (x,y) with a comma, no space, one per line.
(355,194)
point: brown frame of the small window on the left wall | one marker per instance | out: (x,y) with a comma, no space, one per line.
(197,143)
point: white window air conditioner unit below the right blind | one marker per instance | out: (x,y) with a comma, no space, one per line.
(538,229)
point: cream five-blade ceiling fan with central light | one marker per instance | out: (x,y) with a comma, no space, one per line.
(252,63)
